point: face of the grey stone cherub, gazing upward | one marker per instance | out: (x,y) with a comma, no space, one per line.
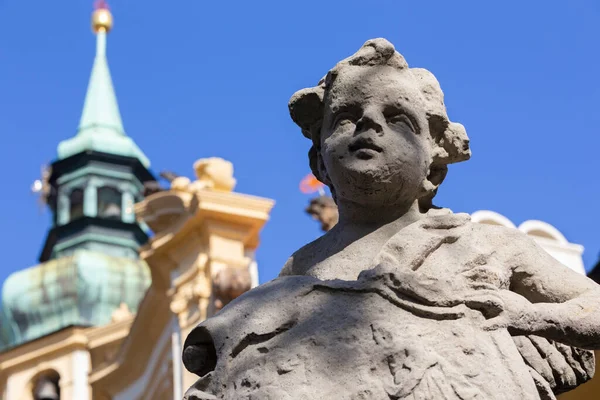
(374,138)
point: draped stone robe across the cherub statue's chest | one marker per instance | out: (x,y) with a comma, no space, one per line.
(409,328)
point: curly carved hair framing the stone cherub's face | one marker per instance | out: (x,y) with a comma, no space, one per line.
(450,143)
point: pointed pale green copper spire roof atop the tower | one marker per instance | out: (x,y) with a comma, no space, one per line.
(101,128)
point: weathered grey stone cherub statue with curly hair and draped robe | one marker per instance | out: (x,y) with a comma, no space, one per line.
(400,299)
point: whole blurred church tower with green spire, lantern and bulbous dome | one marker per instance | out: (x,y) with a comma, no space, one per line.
(89,264)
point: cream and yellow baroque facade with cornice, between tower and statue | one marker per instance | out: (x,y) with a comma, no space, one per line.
(201,257)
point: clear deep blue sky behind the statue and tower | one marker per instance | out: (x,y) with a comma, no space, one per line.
(197,79)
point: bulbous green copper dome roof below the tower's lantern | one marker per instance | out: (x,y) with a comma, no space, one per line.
(83,289)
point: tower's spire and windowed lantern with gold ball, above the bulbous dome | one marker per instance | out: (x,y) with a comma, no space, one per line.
(99,173)
